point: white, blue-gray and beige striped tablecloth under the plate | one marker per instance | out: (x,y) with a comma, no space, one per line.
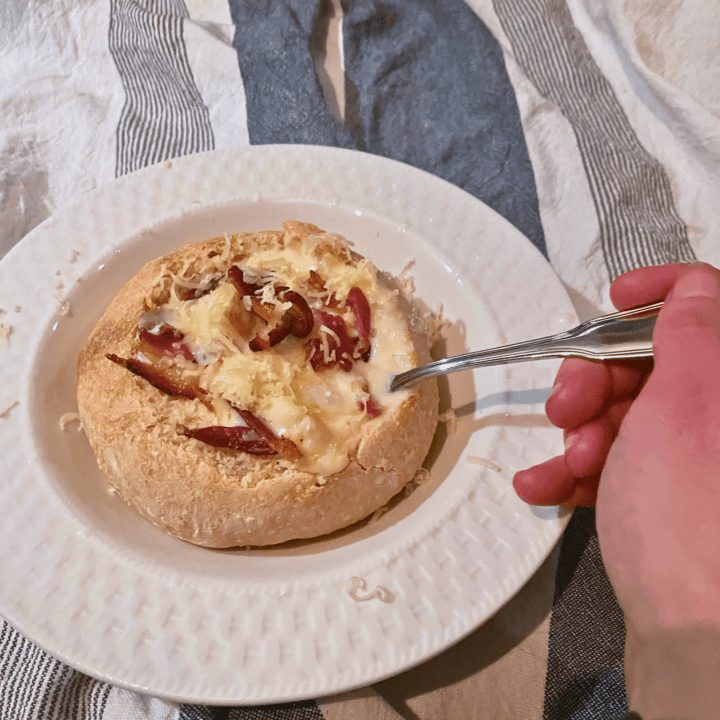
(590,125)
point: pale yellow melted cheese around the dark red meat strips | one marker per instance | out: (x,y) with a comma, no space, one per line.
(321,412)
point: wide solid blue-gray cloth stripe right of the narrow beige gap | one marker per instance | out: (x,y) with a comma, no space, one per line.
(427,85)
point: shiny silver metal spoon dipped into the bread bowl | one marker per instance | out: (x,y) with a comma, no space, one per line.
(626,334)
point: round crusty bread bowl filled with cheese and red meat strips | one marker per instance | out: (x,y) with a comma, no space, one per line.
(222,411)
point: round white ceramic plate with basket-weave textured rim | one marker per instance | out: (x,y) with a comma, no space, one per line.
(100,588)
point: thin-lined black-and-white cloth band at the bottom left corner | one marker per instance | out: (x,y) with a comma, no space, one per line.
(35,686)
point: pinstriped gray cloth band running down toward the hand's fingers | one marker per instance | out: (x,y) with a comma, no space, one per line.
(639,224)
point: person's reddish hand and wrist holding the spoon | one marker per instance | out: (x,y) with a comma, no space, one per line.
(647,445)
